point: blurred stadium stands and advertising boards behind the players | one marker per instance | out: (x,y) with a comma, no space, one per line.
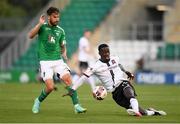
(145,34)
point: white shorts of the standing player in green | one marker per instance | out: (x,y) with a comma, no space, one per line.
(49,68)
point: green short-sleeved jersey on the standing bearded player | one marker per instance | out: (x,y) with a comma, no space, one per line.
(50,39)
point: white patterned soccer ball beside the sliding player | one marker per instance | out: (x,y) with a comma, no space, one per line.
(99,92)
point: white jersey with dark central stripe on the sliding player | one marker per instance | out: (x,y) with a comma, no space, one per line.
(109,73)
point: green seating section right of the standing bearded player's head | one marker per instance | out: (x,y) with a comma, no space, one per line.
(81,15)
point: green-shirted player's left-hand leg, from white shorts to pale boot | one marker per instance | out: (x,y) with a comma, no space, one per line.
(47,75)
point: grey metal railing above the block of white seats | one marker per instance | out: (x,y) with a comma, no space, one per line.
(147,31)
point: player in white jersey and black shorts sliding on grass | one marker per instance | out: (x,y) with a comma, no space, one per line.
(110,72)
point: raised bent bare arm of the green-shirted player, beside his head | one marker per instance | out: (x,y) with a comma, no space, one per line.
(35,30)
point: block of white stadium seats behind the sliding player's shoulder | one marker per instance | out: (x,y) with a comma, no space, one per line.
(130,52)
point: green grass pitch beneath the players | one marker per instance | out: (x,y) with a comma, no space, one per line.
(16,101)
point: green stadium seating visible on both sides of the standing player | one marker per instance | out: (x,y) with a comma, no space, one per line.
(76,17)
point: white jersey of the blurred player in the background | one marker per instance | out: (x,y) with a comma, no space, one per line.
(83,44)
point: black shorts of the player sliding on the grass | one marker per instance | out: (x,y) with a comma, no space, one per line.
(120,97)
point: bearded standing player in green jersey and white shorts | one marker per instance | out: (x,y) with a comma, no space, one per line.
(51,49)
